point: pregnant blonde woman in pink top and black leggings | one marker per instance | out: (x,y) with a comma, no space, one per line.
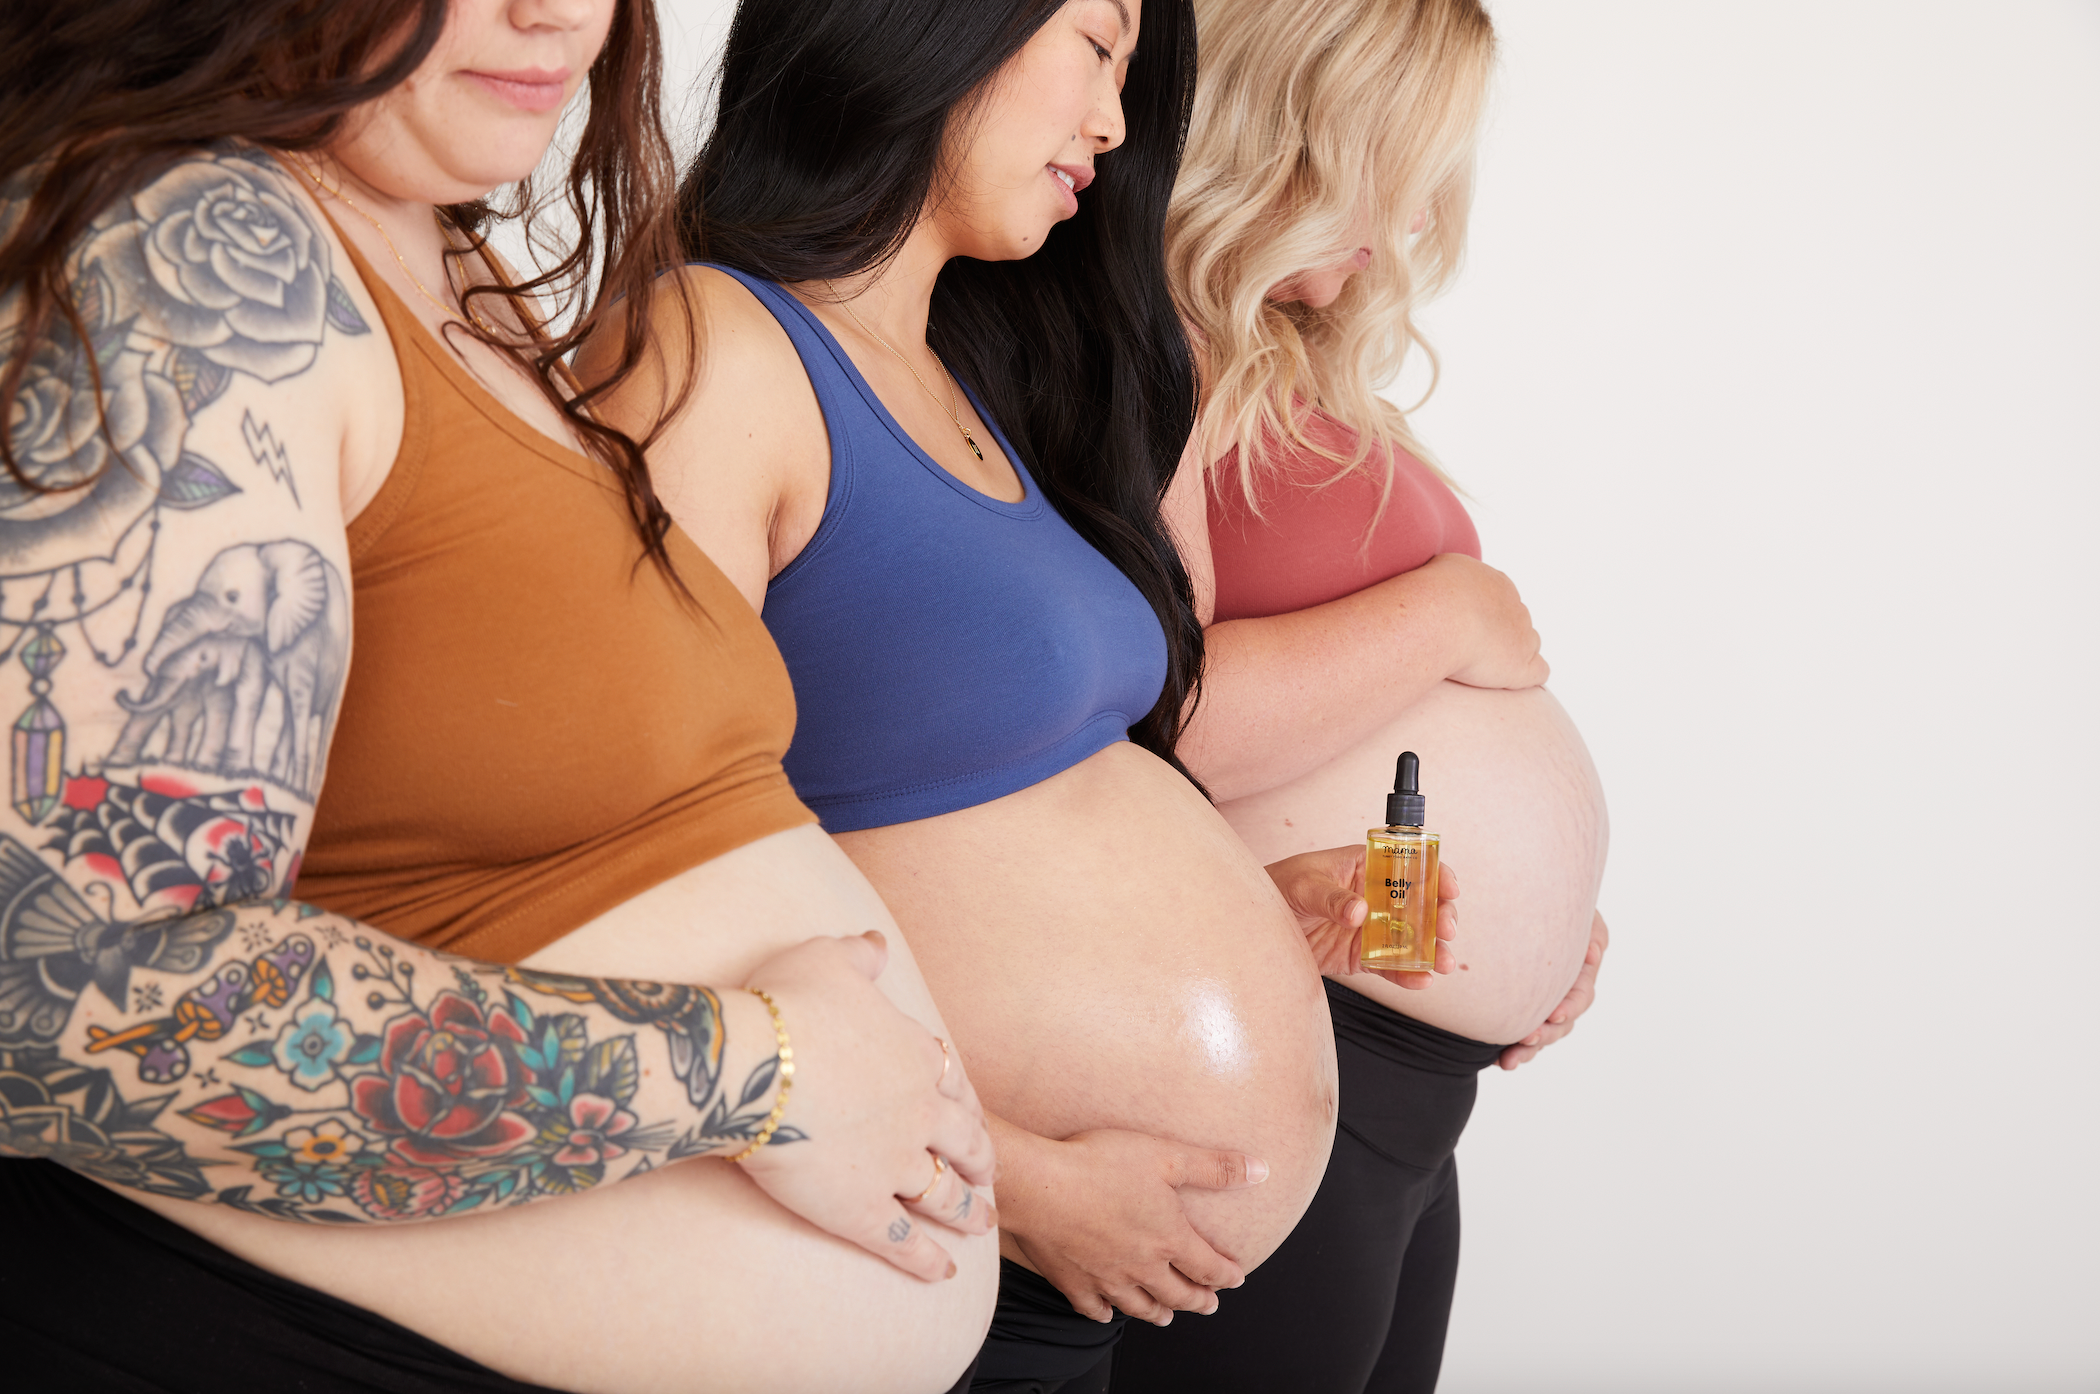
(1324,196)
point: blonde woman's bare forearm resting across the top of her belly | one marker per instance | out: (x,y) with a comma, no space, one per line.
(1288,694)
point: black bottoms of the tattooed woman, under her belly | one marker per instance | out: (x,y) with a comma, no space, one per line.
(104,1294)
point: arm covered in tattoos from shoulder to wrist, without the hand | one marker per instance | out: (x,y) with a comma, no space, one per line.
(175,633)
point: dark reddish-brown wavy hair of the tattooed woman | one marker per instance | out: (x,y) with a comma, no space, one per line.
(100,98)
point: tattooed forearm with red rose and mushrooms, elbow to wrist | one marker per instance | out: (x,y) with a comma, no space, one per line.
(303,1065)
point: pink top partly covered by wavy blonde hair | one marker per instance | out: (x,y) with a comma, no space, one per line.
(1307,547)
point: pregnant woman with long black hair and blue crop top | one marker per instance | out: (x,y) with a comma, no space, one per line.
(944,394)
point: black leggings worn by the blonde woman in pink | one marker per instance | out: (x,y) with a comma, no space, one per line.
(1360,1294)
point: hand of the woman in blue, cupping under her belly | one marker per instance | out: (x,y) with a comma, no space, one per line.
(1099,1215)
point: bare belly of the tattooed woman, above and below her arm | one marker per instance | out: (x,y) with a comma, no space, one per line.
(690,1277)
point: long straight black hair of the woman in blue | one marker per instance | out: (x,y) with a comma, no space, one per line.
(826,148)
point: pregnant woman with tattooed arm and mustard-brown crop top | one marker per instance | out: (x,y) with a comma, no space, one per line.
(461,1116)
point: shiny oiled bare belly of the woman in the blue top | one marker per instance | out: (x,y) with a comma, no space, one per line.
(1110,956)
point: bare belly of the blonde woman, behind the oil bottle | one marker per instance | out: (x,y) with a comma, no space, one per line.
(1521,814)
